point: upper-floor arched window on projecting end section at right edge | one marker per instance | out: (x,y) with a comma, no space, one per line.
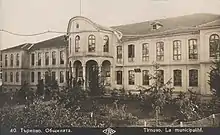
(214,42)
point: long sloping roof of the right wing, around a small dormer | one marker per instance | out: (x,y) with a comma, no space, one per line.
(179,24)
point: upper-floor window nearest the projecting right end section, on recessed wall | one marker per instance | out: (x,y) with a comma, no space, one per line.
(193,49)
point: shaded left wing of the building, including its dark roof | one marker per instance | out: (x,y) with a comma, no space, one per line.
(27,63)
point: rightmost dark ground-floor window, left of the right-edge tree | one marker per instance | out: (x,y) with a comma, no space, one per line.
(193,78)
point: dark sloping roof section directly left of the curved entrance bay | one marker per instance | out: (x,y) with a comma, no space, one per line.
(56,42)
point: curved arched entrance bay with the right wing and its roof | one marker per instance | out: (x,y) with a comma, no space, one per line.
(184,47)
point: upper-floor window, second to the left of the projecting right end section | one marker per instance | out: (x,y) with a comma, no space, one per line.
(177,50)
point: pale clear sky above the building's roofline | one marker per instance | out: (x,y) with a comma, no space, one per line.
(35,16)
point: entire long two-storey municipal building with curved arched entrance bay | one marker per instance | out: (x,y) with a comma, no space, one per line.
(184,46)
